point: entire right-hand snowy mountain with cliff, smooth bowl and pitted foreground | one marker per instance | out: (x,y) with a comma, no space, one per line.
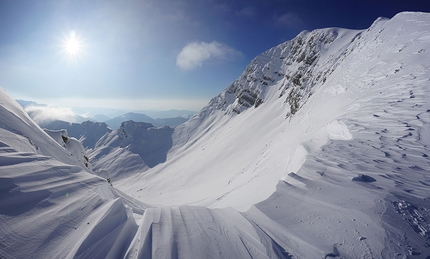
(344,144)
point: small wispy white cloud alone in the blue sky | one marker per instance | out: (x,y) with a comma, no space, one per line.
(196,53)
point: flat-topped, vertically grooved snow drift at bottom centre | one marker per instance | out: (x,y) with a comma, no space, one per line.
(210,233)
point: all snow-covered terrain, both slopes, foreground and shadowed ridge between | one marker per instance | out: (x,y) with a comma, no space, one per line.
(320,149)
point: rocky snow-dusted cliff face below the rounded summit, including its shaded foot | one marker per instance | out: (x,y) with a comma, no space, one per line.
(291,72)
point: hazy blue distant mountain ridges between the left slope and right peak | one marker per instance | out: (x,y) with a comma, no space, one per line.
(131,149)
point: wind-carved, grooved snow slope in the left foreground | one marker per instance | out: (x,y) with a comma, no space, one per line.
(51,205)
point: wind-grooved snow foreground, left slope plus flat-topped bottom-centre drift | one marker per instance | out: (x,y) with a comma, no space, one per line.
(55,208)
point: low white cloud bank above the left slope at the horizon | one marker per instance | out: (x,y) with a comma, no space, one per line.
(42,114)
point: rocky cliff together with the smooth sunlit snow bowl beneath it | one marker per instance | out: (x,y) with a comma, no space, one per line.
(243,139)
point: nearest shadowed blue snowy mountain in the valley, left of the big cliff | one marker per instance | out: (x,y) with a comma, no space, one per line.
(133,148)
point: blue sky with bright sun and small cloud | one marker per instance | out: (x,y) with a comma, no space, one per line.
(155,54)
